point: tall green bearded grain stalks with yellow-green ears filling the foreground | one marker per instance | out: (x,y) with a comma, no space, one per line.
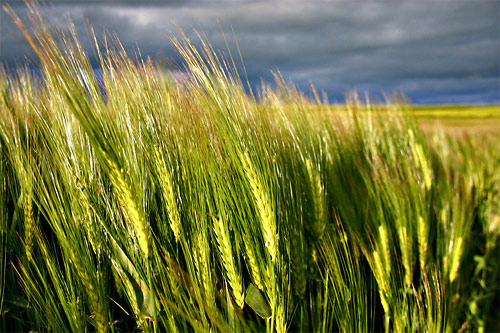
(139,200)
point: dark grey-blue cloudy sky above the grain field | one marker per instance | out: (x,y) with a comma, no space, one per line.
(444,51)
